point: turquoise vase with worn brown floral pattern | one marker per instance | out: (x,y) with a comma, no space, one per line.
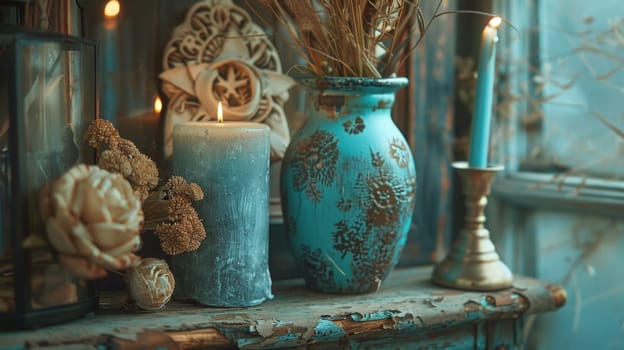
(348,185)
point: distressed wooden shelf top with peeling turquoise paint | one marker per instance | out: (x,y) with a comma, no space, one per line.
(408,311)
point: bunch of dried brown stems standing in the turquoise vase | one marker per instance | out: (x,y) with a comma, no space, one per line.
(362,38)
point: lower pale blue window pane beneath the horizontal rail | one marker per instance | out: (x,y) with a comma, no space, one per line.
(577,252)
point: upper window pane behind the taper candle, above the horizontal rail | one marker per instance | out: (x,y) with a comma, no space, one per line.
(562,82)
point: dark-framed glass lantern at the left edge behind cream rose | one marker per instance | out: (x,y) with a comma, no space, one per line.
(47,99)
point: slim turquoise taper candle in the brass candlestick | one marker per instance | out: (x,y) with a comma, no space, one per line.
(482,116)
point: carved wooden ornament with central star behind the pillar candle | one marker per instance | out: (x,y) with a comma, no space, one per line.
(219,54)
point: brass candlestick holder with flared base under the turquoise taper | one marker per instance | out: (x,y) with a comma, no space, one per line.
(472,263)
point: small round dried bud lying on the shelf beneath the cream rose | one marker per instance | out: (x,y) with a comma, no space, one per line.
(150,283)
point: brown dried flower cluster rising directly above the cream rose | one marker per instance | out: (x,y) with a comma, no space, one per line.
(123,157)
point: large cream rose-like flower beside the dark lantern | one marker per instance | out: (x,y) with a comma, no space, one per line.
(94,221)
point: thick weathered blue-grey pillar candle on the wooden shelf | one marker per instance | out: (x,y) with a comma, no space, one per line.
(230,161)
